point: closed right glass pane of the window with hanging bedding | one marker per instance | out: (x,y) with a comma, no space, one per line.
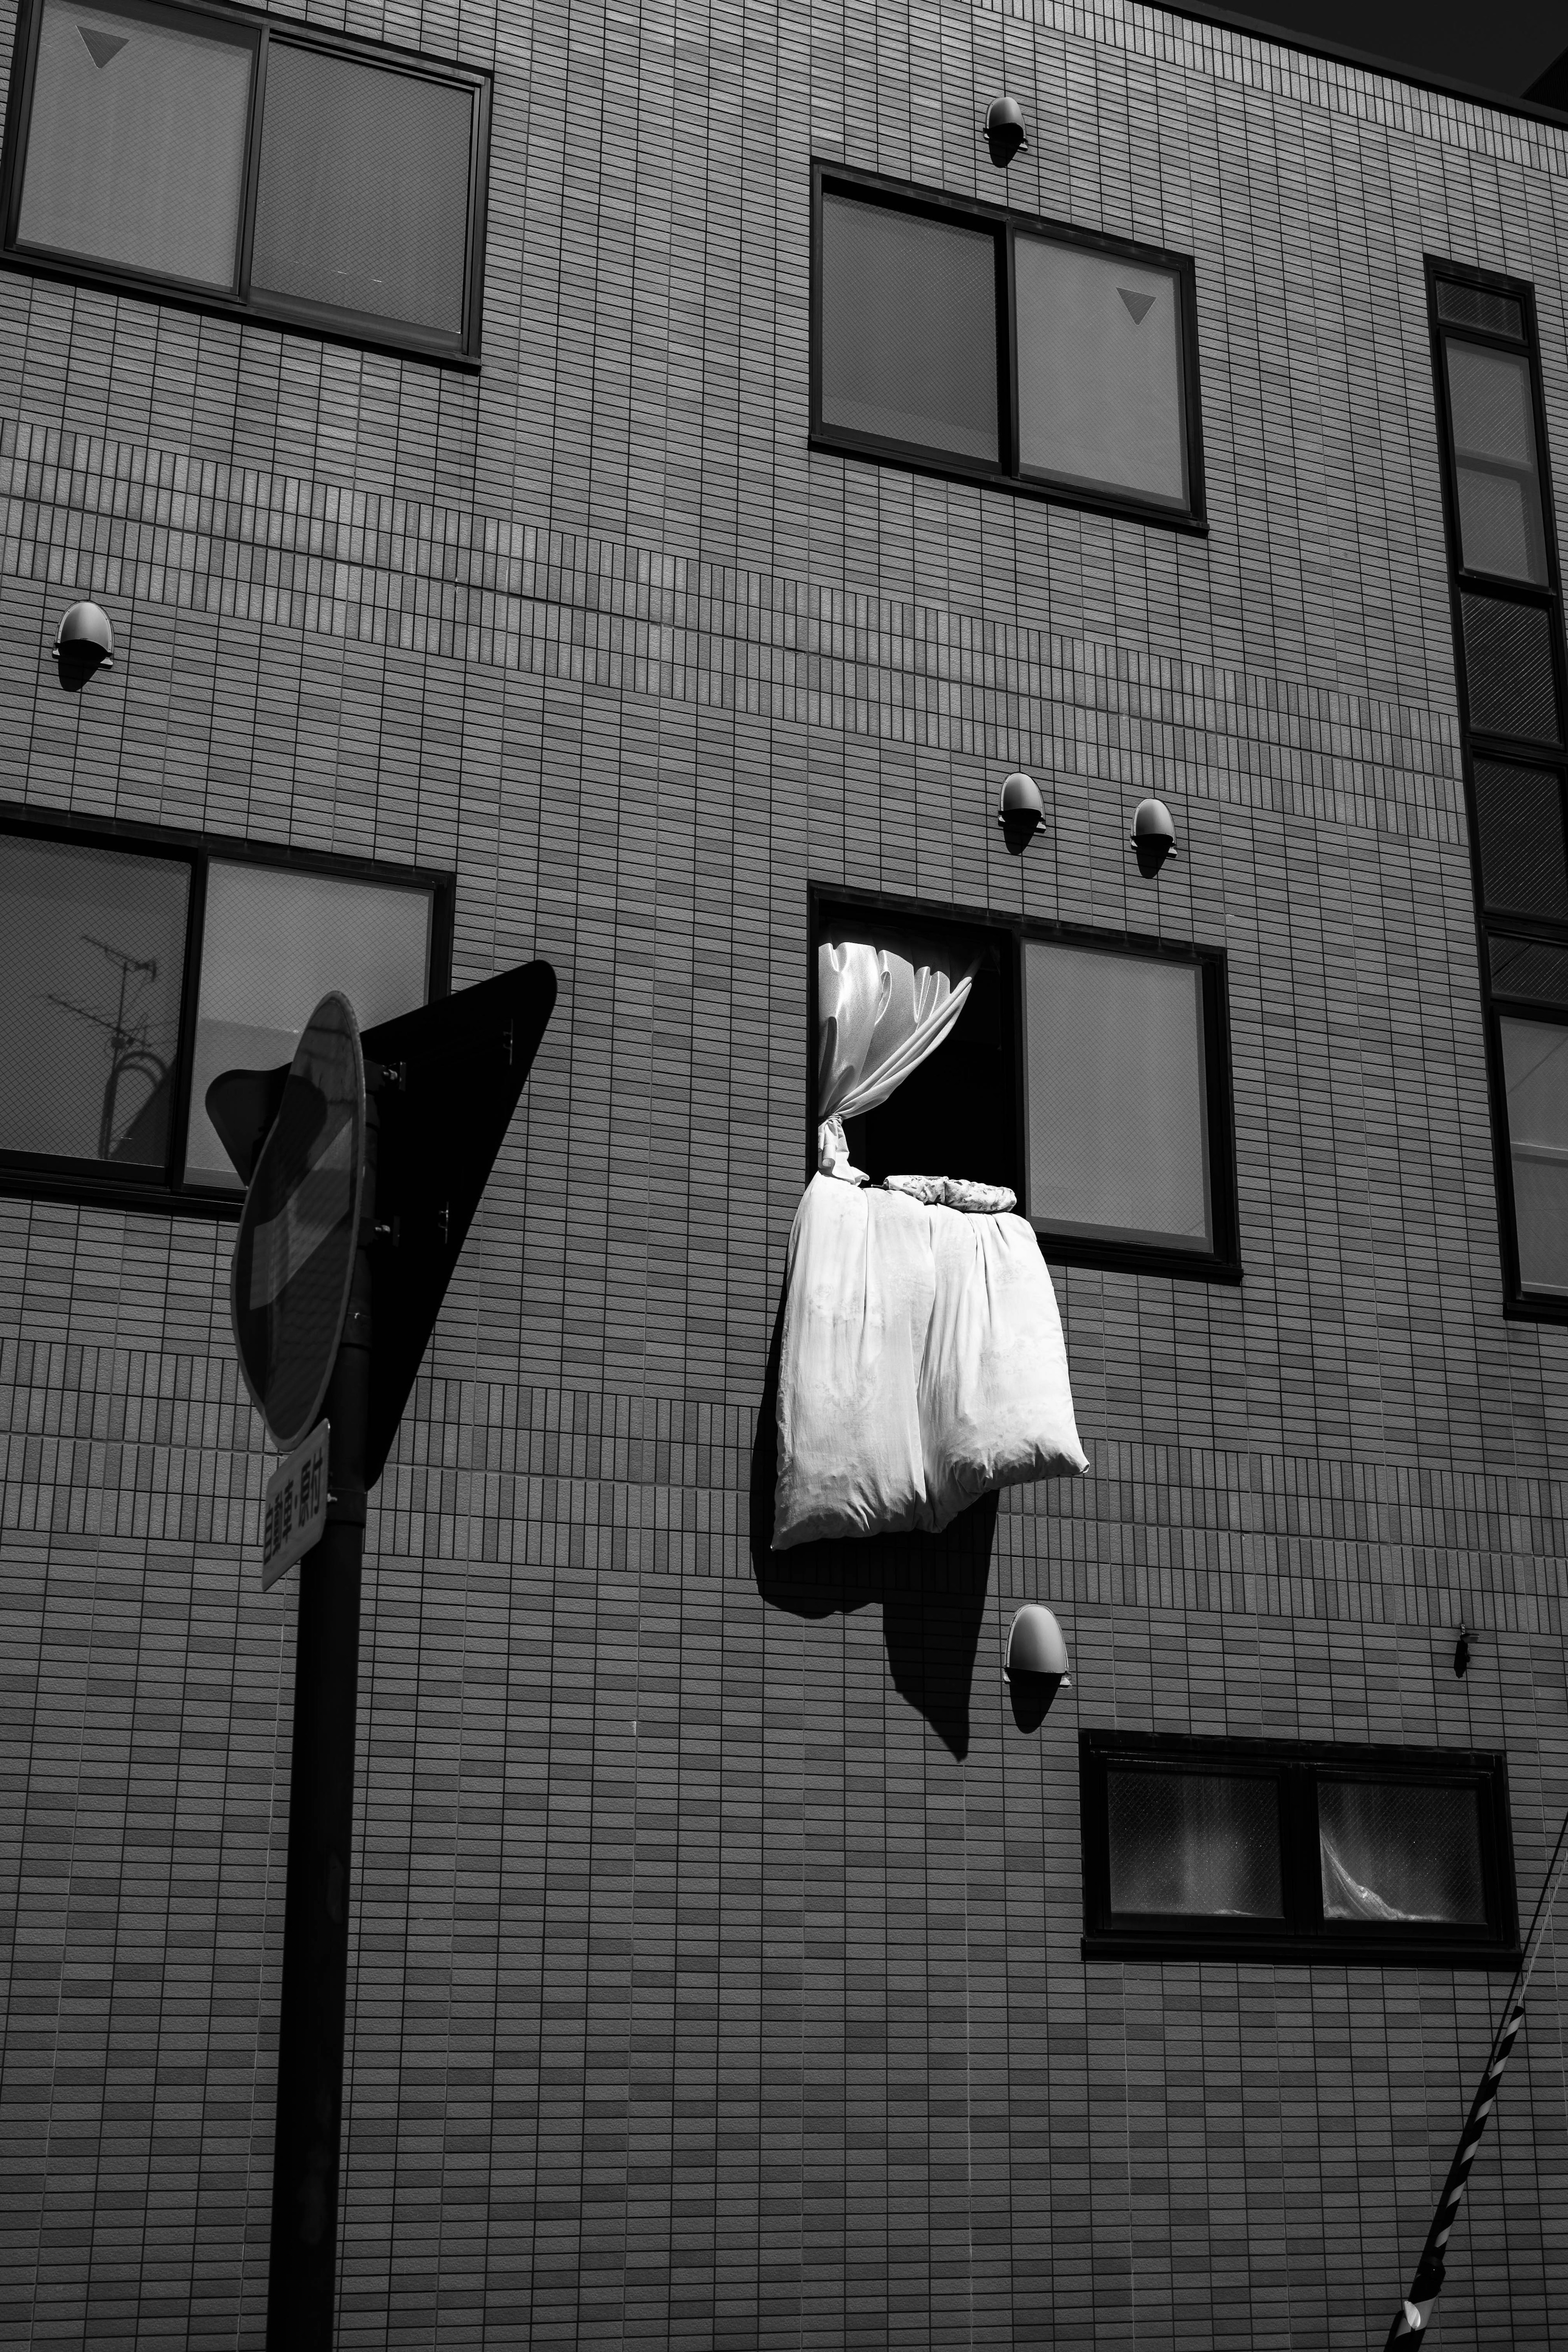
(1118,1104)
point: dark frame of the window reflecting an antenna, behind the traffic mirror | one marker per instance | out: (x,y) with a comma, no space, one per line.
(166,1194)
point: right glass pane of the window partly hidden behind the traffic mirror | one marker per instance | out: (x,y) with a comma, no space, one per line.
(274,942)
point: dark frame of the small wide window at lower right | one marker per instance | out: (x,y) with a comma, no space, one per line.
(1306,1937)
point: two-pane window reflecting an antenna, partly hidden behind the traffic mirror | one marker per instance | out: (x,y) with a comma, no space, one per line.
(138,968)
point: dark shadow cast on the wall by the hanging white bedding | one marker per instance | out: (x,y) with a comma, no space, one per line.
(932,1589)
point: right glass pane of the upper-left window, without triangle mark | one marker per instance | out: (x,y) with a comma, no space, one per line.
(363,194)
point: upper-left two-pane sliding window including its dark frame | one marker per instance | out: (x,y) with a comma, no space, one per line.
(250,166)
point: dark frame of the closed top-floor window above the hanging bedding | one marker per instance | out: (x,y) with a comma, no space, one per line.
(1007,225)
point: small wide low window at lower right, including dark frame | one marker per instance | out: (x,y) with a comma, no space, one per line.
(1268,1850)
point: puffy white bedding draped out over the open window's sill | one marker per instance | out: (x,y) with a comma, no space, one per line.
(923,1365)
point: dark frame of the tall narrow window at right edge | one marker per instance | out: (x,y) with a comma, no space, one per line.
(1485,744)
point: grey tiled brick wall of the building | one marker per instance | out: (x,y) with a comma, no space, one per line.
(718,1951)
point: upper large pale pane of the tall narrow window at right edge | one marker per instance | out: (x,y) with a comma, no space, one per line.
(1494,446)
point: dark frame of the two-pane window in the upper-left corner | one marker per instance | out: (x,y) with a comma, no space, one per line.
(321,321)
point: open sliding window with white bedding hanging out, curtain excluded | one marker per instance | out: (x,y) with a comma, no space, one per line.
(1087,1071)
